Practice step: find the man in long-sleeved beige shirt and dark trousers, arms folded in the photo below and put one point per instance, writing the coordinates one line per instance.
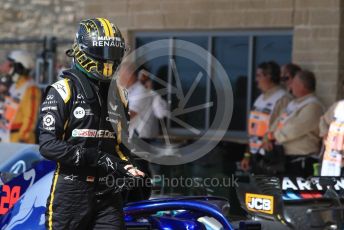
(296, 131)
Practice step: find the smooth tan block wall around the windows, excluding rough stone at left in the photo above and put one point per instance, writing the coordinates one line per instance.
(316, 25)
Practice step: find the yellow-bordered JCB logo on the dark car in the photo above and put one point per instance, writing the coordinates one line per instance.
(259, 203)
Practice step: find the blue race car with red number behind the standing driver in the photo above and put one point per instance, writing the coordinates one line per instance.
(24, 195)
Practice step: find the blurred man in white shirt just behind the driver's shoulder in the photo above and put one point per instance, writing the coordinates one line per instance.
(142, 119)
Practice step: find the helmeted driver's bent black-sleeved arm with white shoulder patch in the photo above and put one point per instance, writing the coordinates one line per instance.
(54, 115)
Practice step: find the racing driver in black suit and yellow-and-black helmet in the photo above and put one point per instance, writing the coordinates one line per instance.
(76, 132)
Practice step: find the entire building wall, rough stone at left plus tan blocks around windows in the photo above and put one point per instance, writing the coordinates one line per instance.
(317, 24)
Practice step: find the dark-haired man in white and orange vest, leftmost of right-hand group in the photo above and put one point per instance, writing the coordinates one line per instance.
(267, 107)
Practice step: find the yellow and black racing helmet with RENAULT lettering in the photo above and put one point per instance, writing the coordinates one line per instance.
(98, 48)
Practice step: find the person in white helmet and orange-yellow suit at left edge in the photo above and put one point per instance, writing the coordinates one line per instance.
(22, 104)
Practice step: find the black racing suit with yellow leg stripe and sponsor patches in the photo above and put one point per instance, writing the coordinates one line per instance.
(74, 131)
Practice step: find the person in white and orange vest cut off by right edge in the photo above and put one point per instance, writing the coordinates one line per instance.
(332, 133)
